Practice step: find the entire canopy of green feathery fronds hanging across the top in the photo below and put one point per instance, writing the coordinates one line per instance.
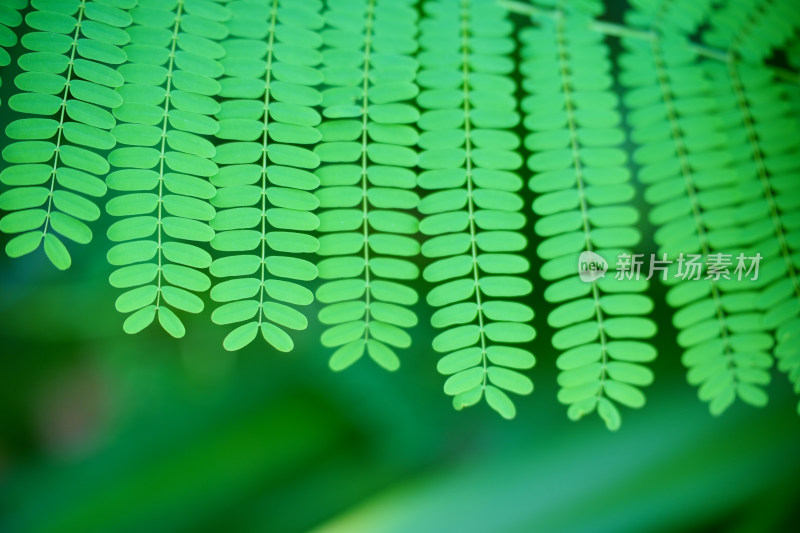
(242, 136)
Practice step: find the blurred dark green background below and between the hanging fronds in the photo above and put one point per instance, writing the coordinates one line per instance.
(104, 432)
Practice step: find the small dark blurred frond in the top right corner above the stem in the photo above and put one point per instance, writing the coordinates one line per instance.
(753, 29)
